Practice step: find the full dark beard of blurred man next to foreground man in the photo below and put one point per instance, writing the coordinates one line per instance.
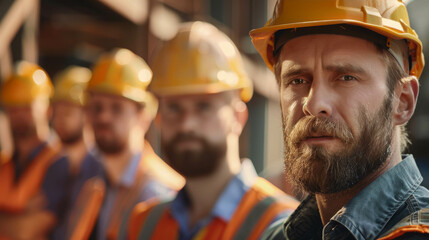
(194, 163)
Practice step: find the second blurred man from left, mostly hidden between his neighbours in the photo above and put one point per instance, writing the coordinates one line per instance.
(85, 172)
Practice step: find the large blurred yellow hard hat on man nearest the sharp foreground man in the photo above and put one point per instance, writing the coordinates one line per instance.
(199, 59)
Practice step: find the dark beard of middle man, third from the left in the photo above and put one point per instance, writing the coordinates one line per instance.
(108, 145)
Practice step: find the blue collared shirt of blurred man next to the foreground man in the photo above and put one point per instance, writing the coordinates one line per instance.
(224, 207)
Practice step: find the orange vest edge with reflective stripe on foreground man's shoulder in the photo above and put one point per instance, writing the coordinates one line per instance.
(417, 222)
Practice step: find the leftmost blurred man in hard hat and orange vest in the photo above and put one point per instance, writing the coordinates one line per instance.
(33, 179)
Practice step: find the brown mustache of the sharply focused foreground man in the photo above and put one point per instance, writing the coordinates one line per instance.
(308, 126)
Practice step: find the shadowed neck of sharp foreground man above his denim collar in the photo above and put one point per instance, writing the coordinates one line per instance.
(330, 204)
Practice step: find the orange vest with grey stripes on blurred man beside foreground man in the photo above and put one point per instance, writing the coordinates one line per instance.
(257, 209)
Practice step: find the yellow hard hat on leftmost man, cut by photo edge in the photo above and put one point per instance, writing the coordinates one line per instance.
(27, 83)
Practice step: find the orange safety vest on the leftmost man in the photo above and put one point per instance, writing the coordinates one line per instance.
(15, 196)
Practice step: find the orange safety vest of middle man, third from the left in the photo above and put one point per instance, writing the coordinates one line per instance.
(90, 198)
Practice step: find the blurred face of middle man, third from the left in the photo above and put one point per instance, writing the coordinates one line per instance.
(112, 118)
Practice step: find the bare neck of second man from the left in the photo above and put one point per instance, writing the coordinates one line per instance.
(75, 153)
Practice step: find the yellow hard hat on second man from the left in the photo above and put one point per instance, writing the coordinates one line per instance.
(70, 85)
